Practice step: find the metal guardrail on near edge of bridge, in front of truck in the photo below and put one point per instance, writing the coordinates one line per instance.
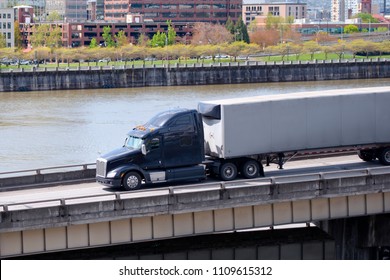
(198, 188)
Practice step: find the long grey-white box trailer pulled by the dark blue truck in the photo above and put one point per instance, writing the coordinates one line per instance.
(273, 128)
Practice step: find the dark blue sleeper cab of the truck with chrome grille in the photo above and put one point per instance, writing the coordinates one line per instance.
(167, 148)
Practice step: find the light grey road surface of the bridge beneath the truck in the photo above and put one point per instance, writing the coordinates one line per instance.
(79, 192)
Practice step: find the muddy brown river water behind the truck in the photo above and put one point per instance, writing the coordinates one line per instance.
(53, 128)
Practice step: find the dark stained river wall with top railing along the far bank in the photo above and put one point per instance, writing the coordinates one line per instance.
(190, 74)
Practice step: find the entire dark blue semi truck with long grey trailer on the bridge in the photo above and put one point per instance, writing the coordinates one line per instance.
(237, 137)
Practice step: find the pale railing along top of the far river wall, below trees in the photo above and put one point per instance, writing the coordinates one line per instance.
(42, 68)
